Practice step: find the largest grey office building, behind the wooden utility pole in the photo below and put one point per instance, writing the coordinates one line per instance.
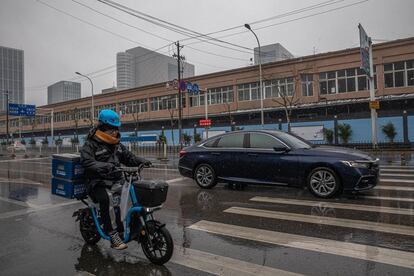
(139, 67)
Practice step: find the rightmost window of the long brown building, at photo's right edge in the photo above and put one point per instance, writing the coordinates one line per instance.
(399, 74)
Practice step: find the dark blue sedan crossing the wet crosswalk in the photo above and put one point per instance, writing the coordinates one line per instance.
(279, 158)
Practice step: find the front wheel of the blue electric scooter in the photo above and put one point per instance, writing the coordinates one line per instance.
(157, 243)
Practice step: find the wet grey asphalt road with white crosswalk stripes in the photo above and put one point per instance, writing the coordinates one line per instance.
(259, 230)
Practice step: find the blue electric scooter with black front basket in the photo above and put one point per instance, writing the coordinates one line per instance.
(145, 197)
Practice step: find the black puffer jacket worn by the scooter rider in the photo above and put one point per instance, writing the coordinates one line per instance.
(101, 160)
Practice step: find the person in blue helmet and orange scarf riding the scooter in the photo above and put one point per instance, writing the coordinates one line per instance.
(101, 156)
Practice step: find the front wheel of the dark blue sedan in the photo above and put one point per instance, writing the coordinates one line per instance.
(323, 182)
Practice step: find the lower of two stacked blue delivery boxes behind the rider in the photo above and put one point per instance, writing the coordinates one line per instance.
(68, 188)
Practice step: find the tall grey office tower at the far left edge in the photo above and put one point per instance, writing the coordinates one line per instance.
(11, 76)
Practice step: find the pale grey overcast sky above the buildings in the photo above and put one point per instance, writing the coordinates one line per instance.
(56, 45)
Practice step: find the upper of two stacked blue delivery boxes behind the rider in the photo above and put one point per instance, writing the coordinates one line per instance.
(67, 166)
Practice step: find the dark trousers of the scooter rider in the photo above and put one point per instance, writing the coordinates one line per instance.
(99, 195)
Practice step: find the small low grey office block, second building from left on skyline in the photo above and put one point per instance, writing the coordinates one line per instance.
(63, 91)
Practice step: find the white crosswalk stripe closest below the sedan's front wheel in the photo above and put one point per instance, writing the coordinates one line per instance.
(367, 208)
